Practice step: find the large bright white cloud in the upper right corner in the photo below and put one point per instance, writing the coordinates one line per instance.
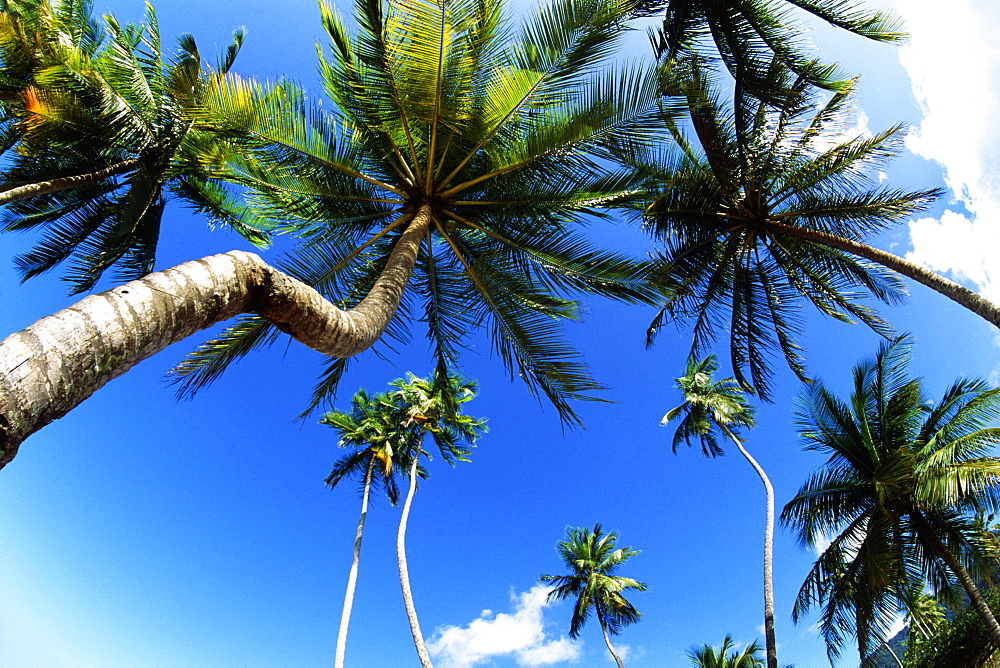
(953, 59)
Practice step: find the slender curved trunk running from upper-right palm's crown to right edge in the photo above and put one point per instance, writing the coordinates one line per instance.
(960, 295)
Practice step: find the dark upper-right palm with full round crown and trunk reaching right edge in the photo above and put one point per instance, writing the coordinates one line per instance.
(775, 209)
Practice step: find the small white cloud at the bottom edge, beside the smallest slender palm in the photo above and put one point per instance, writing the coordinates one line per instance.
(520, 634)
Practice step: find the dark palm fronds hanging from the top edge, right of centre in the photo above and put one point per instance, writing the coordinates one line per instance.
(748, 36)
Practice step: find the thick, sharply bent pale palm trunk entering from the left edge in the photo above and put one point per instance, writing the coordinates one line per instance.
(48, 368)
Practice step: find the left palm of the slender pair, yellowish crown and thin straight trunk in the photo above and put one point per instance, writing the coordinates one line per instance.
(371, 428)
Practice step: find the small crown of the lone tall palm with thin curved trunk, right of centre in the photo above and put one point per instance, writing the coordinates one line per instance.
(708, 405)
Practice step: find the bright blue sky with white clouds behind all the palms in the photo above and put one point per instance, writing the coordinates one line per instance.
(139, 531)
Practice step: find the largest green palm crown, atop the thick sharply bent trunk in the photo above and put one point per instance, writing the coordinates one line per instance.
(505, 137)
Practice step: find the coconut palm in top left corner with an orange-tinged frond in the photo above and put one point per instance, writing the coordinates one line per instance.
(106, 134)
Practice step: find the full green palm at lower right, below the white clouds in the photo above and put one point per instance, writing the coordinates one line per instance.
(897, 495)
